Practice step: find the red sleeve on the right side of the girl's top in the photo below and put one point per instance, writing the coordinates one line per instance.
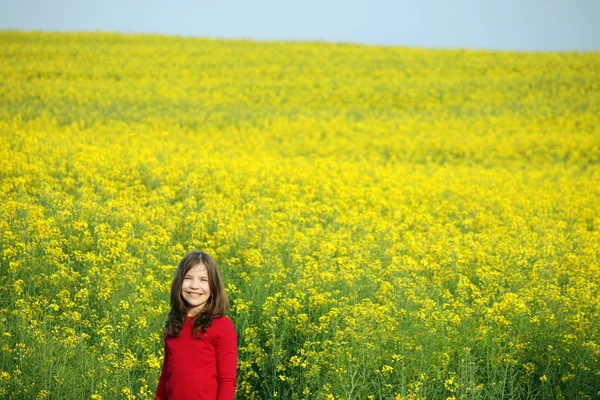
(226, 350)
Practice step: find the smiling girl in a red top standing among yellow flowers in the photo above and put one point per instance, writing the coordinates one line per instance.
(200, 359)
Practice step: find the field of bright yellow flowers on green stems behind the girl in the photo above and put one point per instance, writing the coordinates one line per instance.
(391, 223)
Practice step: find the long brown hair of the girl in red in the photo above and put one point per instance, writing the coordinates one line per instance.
(215, 306)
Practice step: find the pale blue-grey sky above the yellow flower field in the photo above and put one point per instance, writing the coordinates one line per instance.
(508, 25)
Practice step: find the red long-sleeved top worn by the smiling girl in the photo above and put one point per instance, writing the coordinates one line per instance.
(200, 368)
